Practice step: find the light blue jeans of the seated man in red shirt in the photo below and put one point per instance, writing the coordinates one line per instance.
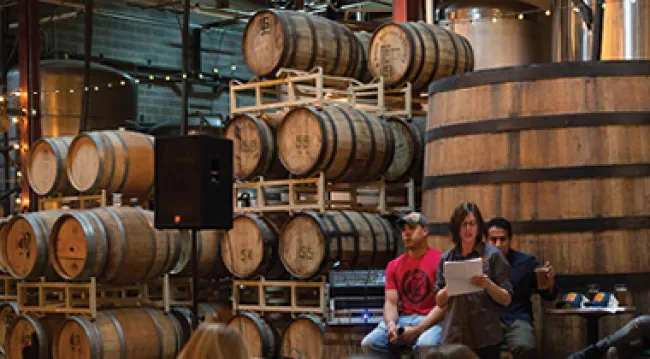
(376, 342)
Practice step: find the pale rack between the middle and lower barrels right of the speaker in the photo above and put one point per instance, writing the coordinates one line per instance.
(317, 194)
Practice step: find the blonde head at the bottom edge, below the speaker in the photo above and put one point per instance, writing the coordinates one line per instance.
(215, 341)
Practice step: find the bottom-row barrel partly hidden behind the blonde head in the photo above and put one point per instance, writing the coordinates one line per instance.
(261, 338)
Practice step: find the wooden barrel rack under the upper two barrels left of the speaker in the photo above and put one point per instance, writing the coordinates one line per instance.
(87, 201)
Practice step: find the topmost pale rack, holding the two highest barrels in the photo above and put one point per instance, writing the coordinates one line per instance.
(293, 88)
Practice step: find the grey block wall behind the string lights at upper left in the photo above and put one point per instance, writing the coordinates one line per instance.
(153, 37)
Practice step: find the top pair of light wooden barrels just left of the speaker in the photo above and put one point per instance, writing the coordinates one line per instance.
(114, 161)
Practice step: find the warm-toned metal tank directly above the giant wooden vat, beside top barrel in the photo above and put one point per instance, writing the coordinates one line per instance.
(499, 36)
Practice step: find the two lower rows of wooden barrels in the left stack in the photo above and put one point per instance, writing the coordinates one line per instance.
(116, 246)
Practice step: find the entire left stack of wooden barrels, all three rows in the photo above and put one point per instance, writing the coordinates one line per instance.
(115, 245)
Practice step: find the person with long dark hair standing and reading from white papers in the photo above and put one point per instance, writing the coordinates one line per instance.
(476, 289)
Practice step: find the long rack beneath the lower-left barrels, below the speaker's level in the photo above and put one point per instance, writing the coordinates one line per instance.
(73, 298)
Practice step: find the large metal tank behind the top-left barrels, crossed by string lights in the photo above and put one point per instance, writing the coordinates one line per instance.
(109, 108)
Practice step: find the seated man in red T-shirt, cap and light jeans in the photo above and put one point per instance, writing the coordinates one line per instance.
(410, 279)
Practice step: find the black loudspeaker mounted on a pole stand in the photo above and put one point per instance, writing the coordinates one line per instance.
(193, 182)
